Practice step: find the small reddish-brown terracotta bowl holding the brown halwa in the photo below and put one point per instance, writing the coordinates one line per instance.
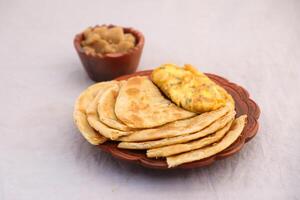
(109, 66)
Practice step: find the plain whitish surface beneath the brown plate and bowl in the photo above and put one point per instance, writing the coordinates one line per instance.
(42, 155)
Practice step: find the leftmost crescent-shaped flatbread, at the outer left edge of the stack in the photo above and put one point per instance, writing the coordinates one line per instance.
(79, 114)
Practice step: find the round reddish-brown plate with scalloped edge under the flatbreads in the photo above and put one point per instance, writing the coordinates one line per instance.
(243, 105)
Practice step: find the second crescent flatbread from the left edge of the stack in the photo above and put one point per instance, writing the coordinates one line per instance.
(94, 121)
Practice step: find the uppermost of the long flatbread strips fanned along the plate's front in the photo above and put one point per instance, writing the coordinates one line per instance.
(181, 127)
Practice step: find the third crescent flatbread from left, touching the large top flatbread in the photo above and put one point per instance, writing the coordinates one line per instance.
(106, 109)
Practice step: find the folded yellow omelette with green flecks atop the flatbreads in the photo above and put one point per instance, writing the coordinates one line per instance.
(189, 88)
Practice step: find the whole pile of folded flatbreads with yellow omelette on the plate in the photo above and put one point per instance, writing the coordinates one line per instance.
(136, 113)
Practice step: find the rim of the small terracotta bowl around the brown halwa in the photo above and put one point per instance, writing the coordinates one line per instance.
(137, 34)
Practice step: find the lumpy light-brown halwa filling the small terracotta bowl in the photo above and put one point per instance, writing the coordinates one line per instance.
(104, 40)
